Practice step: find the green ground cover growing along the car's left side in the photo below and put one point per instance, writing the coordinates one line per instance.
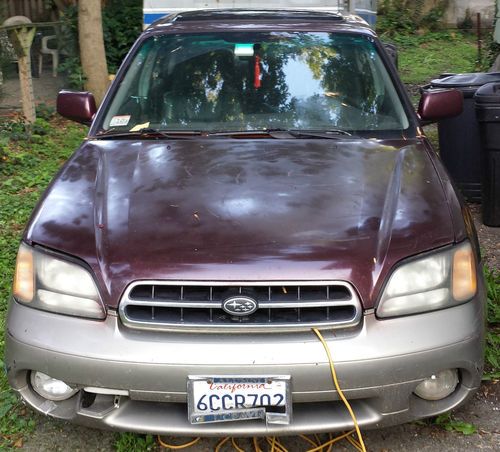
(27, 164)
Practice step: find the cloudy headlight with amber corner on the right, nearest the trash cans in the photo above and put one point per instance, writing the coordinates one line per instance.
(436, 281)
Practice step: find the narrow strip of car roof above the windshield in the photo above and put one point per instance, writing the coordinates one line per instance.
(235, 18)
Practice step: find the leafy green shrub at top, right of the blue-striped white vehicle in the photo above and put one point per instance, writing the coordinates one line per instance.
(409, 16)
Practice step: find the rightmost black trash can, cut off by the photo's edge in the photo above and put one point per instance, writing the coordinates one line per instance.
(488, 116)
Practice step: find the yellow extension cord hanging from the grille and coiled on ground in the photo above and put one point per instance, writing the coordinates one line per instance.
(275, 445)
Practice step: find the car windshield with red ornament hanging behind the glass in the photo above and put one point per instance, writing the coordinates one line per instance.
(256, 80)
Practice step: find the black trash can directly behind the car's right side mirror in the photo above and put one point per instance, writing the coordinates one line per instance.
(459, 139)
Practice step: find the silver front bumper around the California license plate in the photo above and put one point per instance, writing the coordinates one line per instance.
(378, 364)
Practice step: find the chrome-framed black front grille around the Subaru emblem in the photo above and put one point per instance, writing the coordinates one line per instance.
(282, 306)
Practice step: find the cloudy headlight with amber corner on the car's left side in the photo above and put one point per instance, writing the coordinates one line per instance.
(46, 282)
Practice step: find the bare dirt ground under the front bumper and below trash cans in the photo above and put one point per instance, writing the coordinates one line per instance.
(483, 411)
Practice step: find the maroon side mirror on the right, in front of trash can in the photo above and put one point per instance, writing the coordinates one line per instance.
(440, 104)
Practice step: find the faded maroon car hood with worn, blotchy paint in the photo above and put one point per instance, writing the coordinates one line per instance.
(228, 209)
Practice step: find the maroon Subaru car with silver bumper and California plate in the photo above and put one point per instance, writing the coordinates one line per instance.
(250, 176)
